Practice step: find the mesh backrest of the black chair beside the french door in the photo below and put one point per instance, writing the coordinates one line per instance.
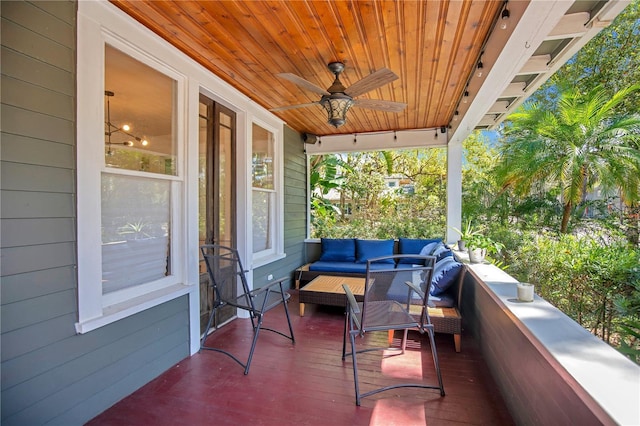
(225, 272)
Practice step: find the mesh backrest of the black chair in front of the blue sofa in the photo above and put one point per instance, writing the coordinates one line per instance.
(386, 280)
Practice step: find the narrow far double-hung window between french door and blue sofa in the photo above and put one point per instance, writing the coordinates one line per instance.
(265, 200)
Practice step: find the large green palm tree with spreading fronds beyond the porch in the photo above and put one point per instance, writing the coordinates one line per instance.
(582, 145)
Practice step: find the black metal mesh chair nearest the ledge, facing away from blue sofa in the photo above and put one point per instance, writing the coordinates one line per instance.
(380, 311)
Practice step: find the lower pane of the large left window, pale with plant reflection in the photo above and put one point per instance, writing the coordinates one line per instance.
(135, 231)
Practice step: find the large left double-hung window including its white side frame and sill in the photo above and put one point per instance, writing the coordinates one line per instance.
(130, 256)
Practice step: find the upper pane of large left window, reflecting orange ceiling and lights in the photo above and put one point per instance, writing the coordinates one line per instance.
(139, 116)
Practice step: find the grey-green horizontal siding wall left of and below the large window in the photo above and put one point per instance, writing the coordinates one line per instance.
(50, 374)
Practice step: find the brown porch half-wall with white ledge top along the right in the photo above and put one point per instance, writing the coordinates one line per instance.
(550, 369)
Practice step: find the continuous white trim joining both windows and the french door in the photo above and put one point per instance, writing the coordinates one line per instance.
(93, 16)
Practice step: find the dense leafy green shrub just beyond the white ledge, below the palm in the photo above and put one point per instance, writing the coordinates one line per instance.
(582, 275)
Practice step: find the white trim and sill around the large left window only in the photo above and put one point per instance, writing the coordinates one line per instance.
(94, 308)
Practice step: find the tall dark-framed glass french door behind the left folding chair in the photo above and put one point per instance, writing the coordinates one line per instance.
(217, 203)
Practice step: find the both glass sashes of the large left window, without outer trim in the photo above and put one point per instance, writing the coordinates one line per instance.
(136, 209)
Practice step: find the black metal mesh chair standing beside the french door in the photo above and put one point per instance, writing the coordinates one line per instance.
(226, 274)
